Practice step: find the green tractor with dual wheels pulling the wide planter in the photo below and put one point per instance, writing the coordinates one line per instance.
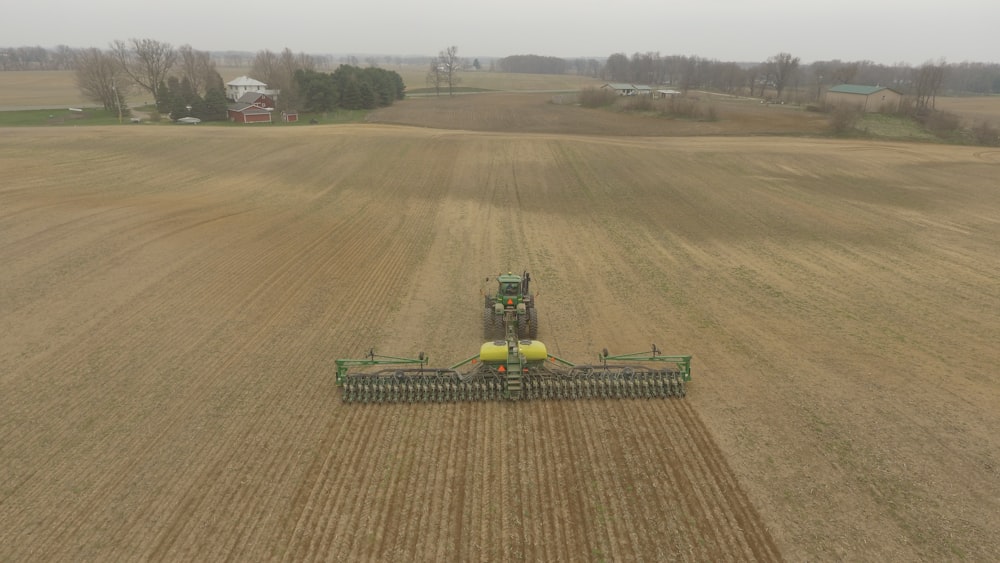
(512, 300)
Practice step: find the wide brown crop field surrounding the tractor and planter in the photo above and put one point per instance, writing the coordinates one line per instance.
(174, 298)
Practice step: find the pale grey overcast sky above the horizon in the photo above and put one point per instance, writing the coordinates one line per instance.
(887, 32)
